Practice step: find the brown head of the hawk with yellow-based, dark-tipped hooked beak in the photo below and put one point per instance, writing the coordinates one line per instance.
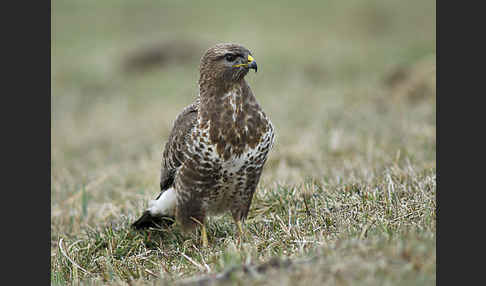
(228, 62)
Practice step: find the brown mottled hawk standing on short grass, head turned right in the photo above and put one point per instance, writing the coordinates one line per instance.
(217, 147)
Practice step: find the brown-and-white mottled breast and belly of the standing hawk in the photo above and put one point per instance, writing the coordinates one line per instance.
(232, 147)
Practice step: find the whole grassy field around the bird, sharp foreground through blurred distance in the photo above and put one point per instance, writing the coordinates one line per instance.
(348, 193)
